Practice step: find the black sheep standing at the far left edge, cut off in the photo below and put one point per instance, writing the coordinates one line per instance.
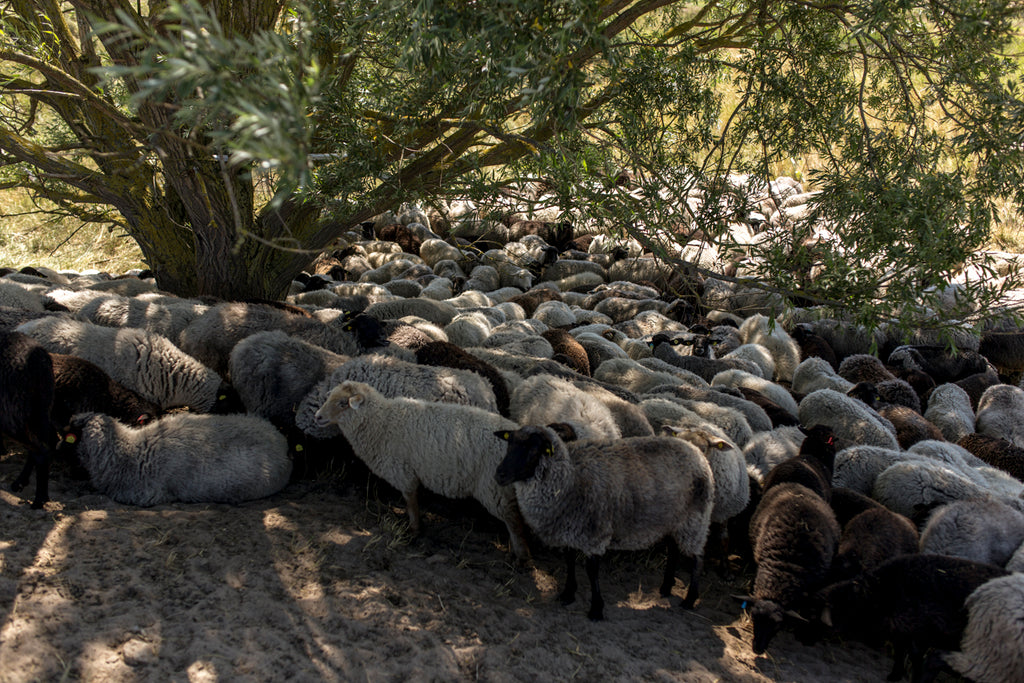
(27, 393)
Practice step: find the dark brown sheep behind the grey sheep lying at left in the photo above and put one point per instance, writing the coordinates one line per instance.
(80, 387)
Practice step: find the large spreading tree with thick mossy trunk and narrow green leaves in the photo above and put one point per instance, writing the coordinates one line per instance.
(161, 116)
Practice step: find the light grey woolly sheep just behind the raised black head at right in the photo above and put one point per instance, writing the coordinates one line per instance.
(855, 423)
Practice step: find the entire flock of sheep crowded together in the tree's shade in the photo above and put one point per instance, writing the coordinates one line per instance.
(560, 381)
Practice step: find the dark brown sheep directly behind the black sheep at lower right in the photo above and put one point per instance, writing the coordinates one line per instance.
(872, 538)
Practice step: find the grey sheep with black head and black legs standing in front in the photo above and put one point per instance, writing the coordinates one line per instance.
(593, 496)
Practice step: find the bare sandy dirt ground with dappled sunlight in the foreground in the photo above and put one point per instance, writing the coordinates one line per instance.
(323, 583)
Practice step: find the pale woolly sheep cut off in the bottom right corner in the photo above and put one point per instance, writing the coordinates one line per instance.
(993, 648)
